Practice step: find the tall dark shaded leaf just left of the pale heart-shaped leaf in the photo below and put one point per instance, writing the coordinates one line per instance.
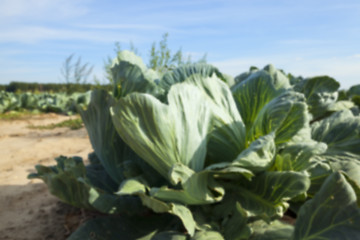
(117, 158)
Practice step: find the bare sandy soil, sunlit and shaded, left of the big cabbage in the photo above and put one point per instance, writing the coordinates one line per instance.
(27, 210)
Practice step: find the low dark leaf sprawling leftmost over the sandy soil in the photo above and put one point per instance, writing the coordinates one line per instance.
(69, 182)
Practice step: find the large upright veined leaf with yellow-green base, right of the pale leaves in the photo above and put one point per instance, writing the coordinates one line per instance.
(275, 108)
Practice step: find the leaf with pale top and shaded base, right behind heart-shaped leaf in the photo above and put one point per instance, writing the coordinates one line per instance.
(227, 136)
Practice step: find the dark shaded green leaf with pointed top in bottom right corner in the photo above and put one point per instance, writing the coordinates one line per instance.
(332, 214)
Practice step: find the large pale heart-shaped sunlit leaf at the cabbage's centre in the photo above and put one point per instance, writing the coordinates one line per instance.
(166, 134)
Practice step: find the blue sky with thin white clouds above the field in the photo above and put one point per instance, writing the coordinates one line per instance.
(307, 38)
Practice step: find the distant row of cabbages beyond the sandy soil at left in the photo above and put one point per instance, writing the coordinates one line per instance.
(43, 102)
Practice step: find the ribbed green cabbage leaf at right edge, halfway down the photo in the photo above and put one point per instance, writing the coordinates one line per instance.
(340, 131)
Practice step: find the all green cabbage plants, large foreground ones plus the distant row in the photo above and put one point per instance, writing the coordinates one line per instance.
(193, 153)
